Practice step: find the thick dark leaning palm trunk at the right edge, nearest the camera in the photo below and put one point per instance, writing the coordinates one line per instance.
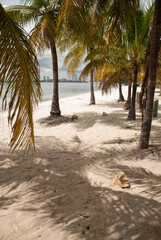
(153, 60)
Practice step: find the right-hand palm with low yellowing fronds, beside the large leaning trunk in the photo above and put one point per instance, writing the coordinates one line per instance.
(117, 63)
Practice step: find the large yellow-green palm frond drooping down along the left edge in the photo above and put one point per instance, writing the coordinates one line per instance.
(19, 74)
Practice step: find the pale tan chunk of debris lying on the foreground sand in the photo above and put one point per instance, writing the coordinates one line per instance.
(121, 180)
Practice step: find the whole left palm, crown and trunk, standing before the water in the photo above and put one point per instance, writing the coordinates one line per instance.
(43, 35)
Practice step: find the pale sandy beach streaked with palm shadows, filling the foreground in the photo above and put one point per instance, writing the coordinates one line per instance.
(65, 190)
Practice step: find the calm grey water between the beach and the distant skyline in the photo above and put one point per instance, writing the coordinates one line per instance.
(66, 89)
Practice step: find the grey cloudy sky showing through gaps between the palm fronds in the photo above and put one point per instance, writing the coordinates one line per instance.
(45, 60)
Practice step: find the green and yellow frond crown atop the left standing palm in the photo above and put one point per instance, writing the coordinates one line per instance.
(44, 14)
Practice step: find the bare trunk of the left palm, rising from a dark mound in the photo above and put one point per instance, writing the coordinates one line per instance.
(55, 110)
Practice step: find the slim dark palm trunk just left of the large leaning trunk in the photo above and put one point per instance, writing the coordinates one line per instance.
(131, 114)
